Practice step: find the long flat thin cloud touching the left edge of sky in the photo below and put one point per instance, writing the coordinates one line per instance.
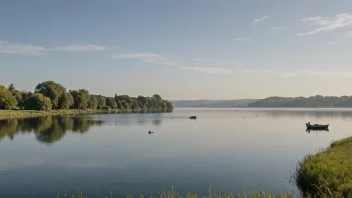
(29, 49)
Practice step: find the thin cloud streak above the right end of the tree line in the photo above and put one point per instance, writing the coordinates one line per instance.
(147, 57)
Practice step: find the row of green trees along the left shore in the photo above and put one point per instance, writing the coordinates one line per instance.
(51, 95)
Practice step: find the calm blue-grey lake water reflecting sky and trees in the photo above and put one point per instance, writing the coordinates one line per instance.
(41, 157)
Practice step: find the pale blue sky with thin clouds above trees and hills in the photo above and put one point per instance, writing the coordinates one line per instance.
(184, 49)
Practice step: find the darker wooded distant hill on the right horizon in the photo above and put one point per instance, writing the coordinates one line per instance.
(313, 101)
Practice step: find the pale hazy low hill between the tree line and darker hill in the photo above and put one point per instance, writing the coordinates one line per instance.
(212, 103)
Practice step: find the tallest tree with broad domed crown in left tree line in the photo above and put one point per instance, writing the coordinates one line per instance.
(52, 90)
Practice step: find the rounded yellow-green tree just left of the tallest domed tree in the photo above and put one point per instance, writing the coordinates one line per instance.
(38, 102)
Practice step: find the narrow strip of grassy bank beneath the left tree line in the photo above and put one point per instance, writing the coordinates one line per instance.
(4, 114)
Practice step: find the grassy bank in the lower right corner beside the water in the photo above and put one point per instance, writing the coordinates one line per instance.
(327, 173)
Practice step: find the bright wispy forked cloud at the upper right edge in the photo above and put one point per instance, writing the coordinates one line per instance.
(326, 24)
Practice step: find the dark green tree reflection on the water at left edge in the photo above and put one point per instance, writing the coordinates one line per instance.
(48, 129)
